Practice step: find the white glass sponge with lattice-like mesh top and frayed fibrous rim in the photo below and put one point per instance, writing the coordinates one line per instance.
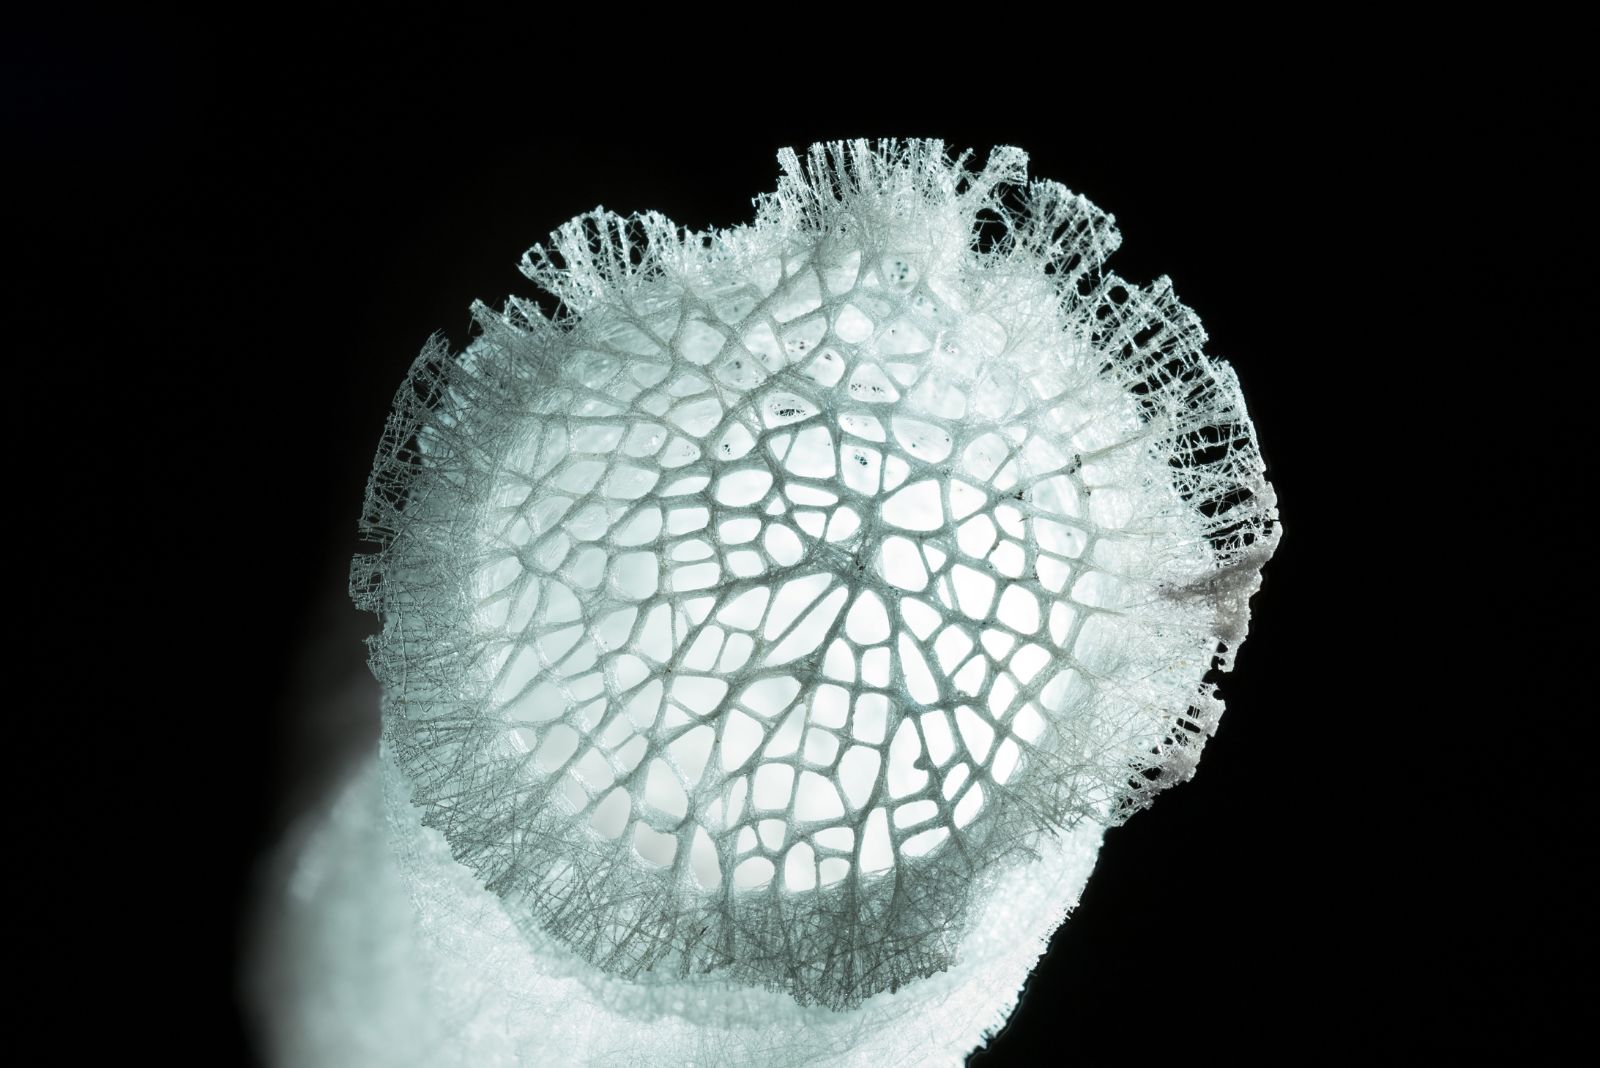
(770, 636)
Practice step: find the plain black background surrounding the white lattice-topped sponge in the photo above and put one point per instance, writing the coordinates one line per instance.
(1382, 858)
